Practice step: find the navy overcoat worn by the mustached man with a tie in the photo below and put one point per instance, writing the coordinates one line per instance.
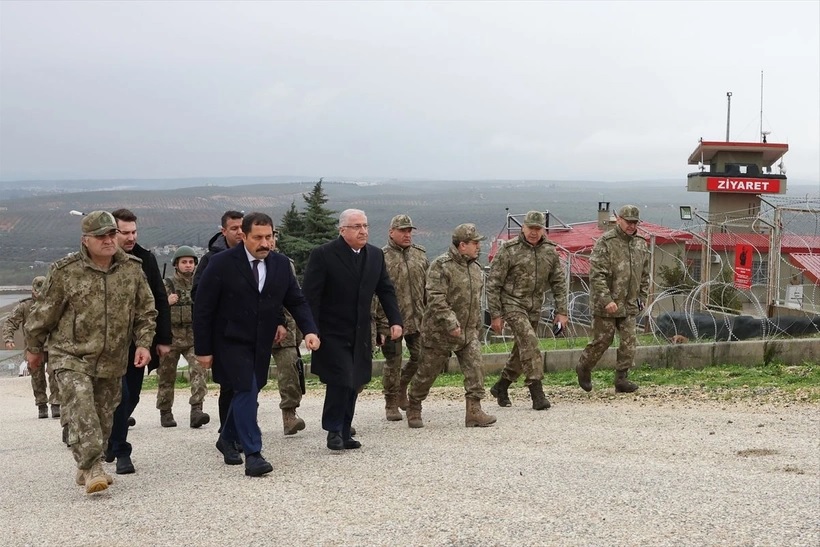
(236, 324)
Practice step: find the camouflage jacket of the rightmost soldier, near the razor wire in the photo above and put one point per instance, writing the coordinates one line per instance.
(619, 272)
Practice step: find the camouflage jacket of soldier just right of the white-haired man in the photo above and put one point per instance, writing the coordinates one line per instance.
(407, 269)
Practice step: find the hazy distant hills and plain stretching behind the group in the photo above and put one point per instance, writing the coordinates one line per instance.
(37, 229)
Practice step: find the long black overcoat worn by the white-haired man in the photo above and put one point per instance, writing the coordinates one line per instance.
(340, 294)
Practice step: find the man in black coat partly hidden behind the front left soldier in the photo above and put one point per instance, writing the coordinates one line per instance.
(118, 445)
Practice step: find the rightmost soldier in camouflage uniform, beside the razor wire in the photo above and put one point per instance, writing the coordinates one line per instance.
(619, 287)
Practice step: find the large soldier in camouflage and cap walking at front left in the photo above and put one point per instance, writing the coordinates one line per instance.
(94, 304)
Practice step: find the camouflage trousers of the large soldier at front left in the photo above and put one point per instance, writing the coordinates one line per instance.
(88, 404)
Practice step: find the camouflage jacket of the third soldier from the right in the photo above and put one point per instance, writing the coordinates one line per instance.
(454, 286)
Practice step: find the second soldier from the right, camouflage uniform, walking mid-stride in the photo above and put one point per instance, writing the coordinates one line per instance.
(521, 272)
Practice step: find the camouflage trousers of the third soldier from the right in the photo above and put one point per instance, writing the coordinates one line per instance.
(433, 363)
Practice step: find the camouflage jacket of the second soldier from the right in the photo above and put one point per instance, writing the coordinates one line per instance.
(519, 276)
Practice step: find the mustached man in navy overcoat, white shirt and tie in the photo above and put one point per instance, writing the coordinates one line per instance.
(237, 316)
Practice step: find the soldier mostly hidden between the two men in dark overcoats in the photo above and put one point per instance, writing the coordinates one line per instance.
(285, 353)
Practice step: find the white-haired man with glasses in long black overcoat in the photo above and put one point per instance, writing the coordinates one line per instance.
(341, 278)
